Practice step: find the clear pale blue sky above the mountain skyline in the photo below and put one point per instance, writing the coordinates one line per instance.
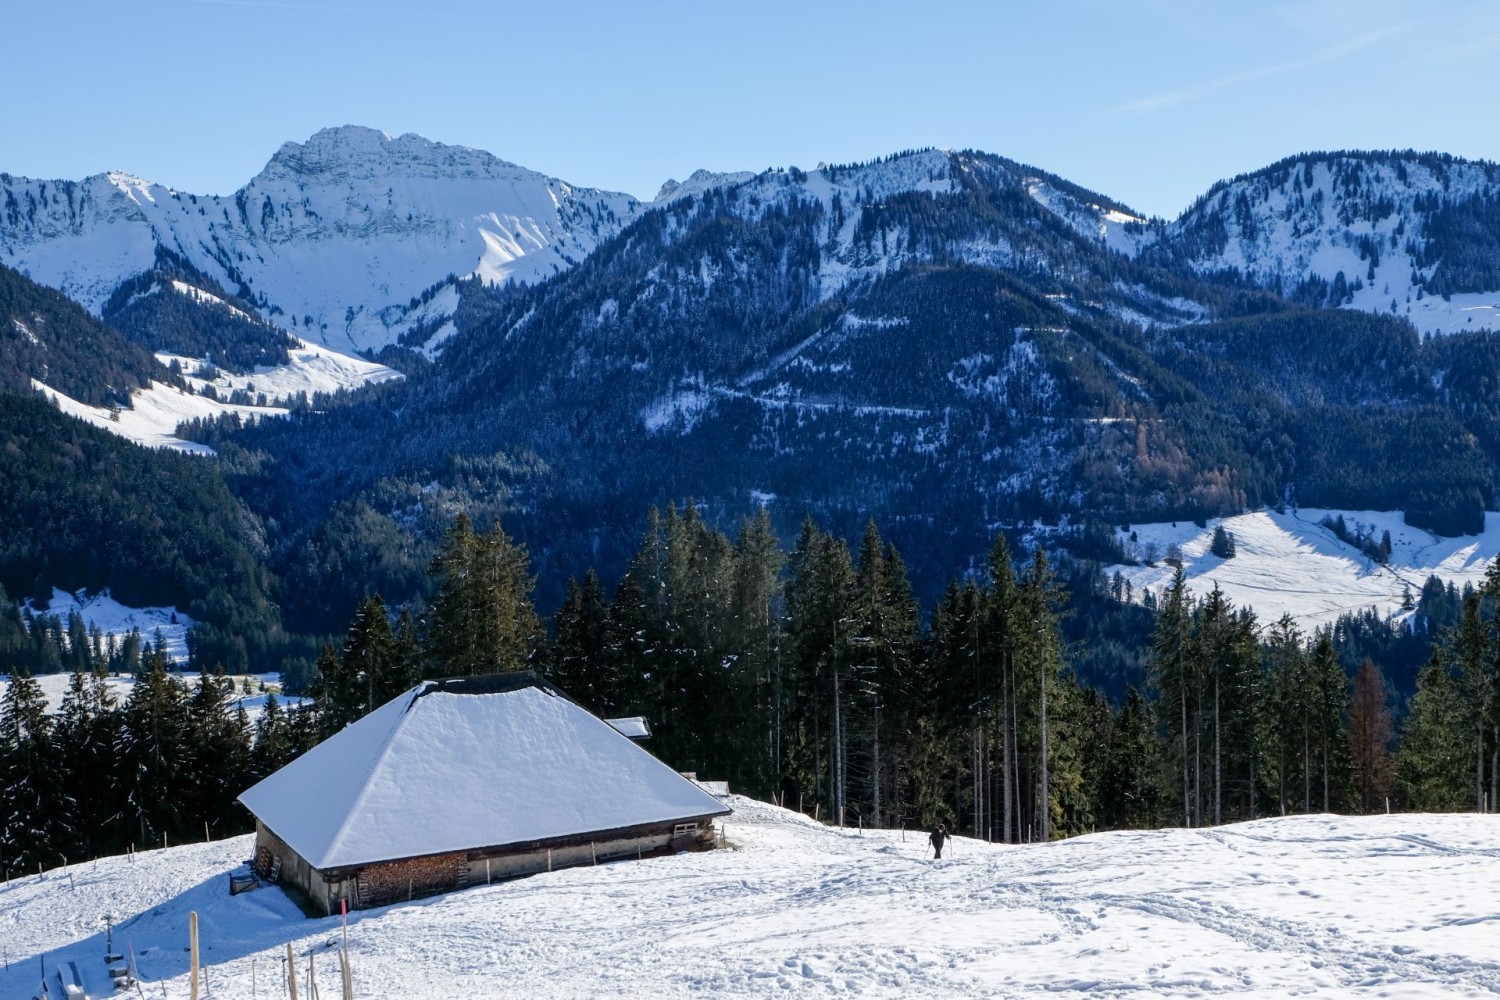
(1148, 101)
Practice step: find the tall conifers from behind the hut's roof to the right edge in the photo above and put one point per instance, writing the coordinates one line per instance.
(811, 677)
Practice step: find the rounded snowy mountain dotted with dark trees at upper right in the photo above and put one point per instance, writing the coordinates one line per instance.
(1387, 233)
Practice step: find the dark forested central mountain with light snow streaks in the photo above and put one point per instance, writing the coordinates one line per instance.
(949, 343)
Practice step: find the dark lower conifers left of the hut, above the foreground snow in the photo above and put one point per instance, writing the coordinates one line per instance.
(101, 777)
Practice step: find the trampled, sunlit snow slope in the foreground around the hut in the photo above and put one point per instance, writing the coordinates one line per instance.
(1322, 906)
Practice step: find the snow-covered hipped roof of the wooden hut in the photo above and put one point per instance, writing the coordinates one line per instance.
(469, 764)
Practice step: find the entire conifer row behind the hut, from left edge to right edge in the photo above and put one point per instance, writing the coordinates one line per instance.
(814, 677)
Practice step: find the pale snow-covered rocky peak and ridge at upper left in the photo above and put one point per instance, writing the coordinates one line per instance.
(344, 241)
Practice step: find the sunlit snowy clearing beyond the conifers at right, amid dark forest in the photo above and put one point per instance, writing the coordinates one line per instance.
(1291, 564)
